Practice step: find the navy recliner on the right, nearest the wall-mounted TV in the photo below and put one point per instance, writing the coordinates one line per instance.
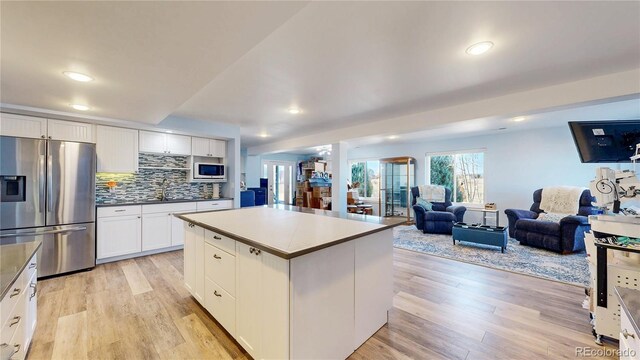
(564, 237)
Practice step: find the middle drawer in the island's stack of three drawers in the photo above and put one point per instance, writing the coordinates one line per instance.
(220, 267)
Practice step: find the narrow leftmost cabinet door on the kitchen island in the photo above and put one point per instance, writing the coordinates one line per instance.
(193, 238)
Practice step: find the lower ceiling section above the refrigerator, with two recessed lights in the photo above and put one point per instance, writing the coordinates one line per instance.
(147, 57)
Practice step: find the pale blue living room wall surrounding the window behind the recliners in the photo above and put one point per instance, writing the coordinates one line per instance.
(516, 163)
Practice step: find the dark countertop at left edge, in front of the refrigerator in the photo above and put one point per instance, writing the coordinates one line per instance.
(13, 259)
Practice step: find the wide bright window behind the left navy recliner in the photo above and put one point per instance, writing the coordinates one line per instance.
(462, 172)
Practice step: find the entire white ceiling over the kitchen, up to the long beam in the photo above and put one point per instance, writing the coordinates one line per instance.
(343, 63)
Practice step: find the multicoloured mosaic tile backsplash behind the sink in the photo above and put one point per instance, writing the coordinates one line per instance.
(146, 184)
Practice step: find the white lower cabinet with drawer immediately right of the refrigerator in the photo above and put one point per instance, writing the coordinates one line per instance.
(119, 231)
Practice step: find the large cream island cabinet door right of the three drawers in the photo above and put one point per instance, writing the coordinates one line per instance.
(262, 303)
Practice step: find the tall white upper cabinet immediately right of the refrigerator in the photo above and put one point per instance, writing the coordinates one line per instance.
(117, 149)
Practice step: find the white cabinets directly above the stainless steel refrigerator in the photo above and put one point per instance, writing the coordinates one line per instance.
(40, 128)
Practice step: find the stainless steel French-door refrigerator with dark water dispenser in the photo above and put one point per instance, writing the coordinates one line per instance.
(47, 193)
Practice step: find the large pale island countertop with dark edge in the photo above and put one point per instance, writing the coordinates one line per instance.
(289, 231)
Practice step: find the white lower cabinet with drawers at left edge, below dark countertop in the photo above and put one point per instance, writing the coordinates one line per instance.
(19, 314)
